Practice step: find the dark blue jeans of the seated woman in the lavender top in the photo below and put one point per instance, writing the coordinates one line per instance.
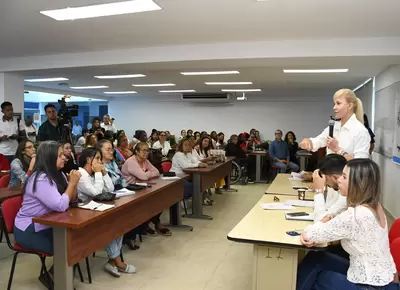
(41, 241)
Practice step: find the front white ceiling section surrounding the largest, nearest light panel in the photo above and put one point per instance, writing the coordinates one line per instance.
(25, 32)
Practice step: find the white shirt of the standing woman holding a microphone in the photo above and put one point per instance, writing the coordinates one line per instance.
(353, 138)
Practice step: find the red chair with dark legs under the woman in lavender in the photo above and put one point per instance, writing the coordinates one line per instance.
(9, 210)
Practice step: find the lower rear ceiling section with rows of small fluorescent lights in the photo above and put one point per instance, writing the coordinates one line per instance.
(265, 74)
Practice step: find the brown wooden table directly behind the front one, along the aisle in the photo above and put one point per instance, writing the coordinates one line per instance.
(203, 179)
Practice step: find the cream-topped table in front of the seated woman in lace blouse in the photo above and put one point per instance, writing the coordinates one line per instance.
(275, 253)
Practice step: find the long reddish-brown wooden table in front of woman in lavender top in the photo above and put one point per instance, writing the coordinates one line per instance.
(78, 232)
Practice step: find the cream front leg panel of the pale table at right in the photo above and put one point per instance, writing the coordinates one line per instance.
(274, 268)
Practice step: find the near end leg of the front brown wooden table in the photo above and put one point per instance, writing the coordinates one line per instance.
(63, 278)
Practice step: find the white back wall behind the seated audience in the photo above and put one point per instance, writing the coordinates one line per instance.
(306, 116)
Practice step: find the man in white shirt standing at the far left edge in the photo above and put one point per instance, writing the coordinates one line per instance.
(10, 131)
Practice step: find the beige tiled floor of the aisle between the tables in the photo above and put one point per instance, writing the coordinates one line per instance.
(200, 260)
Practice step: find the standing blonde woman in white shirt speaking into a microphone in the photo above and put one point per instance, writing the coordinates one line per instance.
(350, 138)
